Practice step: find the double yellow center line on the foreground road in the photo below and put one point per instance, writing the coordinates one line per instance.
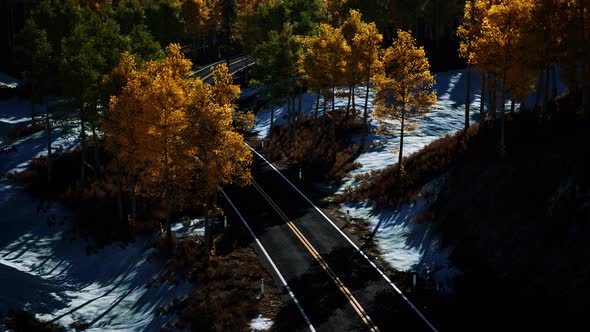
(351, 299)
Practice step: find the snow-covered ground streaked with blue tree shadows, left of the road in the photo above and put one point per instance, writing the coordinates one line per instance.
(55, 278)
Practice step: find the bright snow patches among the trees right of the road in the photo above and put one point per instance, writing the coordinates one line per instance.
(406, 245)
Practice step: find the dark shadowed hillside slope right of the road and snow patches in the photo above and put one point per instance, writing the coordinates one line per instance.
(521, 226)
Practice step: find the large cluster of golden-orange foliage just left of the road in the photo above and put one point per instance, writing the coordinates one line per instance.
(175, 134)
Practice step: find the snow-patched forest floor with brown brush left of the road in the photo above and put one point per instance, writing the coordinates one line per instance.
(76, 274)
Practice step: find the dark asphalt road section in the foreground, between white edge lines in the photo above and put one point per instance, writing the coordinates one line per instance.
(322, 297)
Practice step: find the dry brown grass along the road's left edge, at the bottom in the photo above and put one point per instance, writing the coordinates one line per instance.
(225, 297)
